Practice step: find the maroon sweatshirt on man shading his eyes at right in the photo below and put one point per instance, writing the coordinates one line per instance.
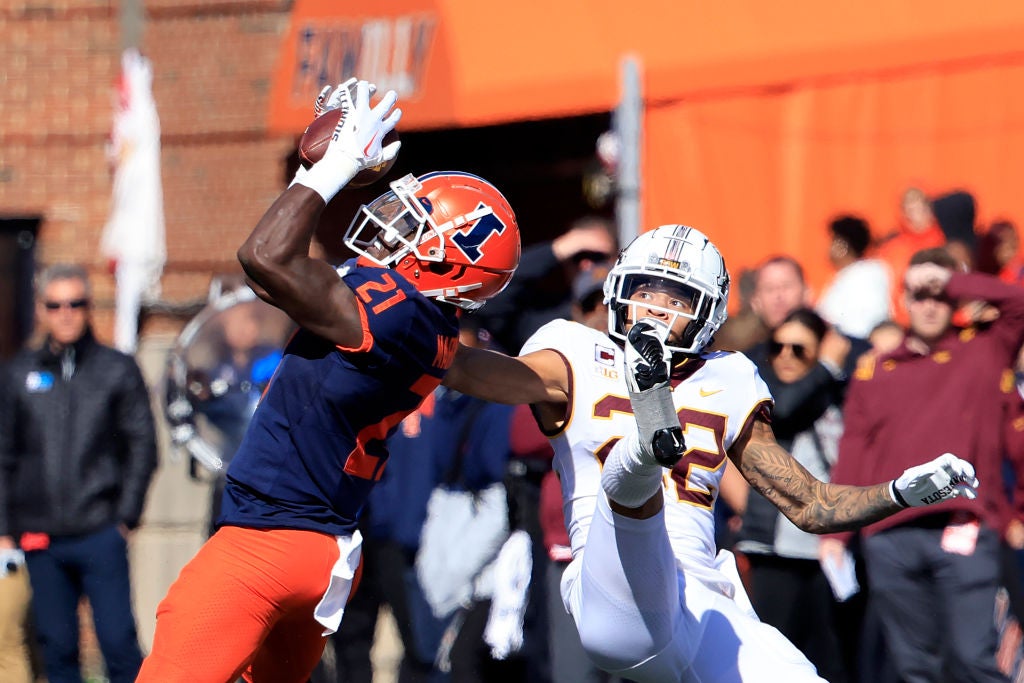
(905, 409)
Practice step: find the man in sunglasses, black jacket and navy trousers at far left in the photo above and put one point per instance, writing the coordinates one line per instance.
(77, 452)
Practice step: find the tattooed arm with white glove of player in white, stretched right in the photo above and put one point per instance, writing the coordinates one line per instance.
(823, 508)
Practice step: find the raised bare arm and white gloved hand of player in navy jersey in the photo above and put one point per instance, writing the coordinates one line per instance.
(276, 257)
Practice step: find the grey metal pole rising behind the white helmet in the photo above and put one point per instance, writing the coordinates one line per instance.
(628, 124)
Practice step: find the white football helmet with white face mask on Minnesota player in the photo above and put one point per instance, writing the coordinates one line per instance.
(685, 258)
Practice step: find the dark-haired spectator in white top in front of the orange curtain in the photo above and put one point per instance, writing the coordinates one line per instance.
(859, 296)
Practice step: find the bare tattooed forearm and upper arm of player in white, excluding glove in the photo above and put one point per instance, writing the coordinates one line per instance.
(807, 502)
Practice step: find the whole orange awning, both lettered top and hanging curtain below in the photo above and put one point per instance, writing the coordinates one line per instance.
(763, 119)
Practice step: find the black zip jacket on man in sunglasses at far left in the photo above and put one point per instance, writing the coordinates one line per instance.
(77, 441)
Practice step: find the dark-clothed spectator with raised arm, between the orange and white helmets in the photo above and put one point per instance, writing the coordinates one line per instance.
(541, 289)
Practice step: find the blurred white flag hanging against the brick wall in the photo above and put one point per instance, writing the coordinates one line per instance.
(134, 237)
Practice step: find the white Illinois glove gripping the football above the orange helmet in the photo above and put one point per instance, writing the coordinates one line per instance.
(357, 141)
